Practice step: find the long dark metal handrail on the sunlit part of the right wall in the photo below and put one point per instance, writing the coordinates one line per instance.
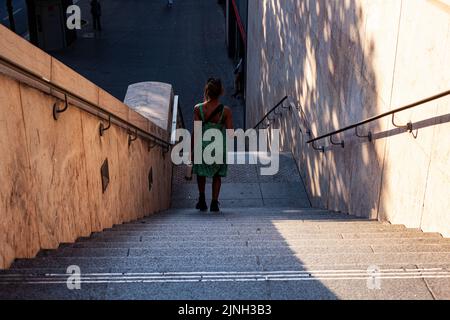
(355, 126)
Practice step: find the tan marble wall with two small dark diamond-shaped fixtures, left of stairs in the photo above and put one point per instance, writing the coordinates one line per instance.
(51, 188)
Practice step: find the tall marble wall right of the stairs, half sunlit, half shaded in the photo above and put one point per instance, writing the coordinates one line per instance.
(345, 61)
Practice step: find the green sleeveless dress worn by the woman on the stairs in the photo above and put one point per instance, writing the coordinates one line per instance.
(206, 170)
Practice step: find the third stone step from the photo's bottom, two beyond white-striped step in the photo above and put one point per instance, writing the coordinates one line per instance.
(244, 251)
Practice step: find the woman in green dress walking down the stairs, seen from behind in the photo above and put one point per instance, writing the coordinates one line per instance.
(213, 115)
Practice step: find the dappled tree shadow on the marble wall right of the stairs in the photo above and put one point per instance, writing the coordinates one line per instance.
(316, 51)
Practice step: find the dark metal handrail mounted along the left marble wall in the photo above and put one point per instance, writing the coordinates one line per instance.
(85, 105)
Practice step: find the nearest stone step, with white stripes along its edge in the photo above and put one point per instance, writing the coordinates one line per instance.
(315, 287)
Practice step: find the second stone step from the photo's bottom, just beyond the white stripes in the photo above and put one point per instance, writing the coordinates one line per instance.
(231, 263)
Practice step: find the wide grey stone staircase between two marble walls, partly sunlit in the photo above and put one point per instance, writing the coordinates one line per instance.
(250, 251)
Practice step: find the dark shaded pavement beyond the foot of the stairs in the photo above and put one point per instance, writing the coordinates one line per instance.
(146, 41)
